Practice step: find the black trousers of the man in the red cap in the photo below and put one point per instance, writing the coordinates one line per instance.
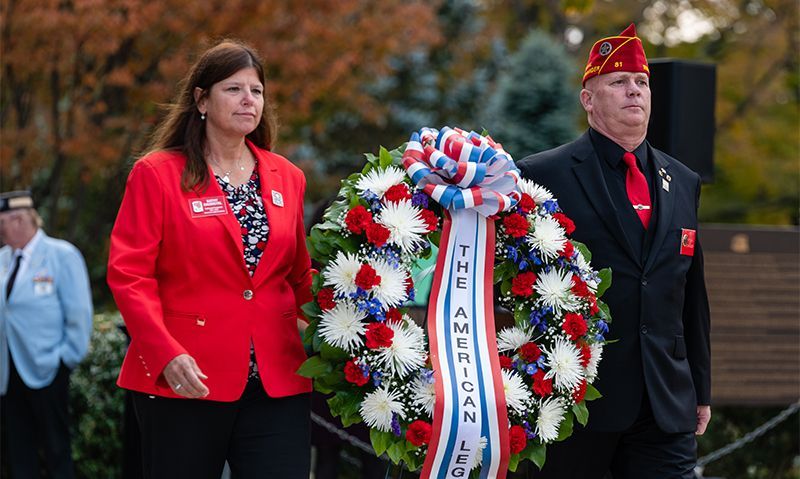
(643, 451)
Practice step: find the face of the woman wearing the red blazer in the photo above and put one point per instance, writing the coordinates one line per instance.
(234, 105)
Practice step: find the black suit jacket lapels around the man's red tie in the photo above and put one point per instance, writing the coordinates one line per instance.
(590, 176)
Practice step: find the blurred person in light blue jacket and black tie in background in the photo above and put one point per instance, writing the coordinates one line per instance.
(45, 325)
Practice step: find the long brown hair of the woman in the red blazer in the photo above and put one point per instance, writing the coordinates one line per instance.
(183, 130)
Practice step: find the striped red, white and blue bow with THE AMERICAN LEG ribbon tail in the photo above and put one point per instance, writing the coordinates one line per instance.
(472, 178)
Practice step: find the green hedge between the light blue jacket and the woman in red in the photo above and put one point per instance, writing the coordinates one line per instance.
(98, 404)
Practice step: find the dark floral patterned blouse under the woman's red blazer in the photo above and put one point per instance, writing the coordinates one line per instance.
(248, 207)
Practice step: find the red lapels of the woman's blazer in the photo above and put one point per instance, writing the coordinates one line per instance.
(271, 179)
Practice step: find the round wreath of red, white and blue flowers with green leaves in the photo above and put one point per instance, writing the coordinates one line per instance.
(374, 358)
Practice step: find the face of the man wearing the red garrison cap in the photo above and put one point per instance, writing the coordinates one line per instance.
(618, 102)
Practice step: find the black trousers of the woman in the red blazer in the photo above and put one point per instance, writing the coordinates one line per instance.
(257, 435)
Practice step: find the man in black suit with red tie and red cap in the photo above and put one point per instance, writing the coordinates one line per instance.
(641, 222)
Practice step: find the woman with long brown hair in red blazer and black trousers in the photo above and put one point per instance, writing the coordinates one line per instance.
(208, 266)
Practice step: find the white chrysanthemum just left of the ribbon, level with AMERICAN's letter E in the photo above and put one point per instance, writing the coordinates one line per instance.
(407, 352)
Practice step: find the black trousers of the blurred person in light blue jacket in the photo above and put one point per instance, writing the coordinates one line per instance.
(37, 420)
